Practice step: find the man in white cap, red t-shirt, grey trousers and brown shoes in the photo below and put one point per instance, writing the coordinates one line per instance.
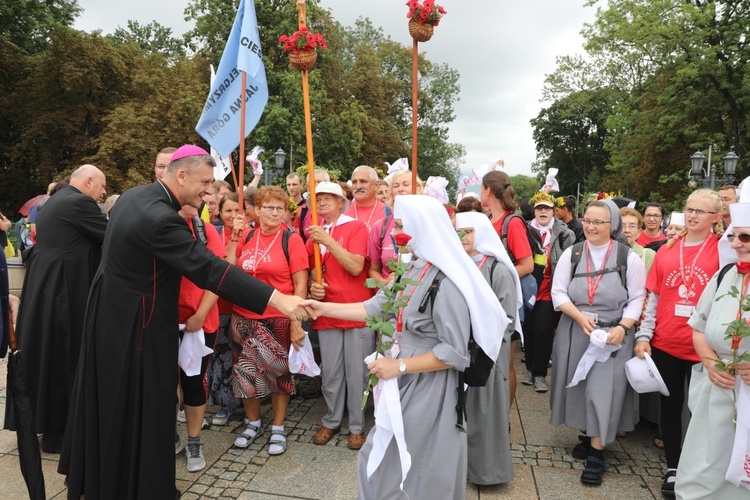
(343, 344)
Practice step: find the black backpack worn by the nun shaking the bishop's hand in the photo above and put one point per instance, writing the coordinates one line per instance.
(480, 365)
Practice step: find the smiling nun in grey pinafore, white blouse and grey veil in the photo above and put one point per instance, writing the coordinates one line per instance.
(595, 298)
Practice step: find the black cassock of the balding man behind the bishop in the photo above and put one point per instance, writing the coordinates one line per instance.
(70, 232)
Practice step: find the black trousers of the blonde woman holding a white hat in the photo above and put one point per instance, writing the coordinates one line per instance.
(675, 372)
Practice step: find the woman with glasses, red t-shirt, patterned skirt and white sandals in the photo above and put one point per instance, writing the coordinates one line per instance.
(262, 341)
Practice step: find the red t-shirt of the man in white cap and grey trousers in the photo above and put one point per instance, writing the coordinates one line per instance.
(342, 286)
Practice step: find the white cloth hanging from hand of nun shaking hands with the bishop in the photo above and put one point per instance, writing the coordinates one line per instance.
(389, 423)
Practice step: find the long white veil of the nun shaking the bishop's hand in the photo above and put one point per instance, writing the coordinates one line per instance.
(435, 240)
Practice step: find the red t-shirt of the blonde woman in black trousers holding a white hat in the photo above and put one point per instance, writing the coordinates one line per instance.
(672, 333)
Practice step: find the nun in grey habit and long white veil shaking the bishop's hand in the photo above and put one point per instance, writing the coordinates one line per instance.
(433, 350)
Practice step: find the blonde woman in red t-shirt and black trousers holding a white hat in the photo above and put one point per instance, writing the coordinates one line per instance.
(681, 270)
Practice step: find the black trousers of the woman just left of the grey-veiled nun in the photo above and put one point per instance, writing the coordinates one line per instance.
(538, 336)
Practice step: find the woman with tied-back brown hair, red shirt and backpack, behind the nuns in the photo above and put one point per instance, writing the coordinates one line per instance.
(500, 197)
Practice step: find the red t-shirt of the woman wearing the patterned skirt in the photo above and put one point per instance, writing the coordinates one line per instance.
(263, 257)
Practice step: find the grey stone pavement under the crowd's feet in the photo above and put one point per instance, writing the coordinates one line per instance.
(544, 468)
